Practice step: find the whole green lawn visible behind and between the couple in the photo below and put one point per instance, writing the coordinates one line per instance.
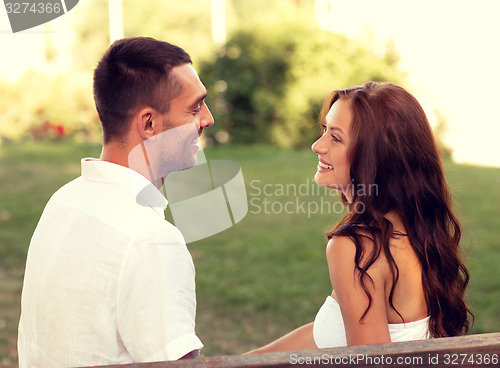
(264, 276)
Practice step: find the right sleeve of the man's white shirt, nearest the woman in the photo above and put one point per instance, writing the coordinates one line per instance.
(156, 304)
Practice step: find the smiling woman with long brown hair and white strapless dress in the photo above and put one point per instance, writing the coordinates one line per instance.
(394, 259)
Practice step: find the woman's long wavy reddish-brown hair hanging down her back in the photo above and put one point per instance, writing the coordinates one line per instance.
(394, 151)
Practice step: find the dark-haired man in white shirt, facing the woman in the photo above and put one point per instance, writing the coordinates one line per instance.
(108, 280)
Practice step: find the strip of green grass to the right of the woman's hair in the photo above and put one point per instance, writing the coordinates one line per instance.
(478, 205)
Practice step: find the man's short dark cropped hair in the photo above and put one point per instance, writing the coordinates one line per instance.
(132, 74)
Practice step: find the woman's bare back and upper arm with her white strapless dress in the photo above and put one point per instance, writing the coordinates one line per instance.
(392, 302)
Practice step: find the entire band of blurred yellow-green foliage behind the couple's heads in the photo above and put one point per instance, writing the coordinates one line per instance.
(265, 85)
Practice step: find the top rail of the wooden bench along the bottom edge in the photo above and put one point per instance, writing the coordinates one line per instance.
(465, 351)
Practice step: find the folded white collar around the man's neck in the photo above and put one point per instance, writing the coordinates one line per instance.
(145, 193)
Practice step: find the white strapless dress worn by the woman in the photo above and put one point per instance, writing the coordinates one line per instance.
(329, 331)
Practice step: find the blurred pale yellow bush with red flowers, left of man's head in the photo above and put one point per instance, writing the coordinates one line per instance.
(49, 107)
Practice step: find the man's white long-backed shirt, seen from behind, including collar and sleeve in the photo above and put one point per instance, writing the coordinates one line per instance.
(108, 280)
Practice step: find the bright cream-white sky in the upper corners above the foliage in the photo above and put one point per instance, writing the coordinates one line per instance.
(450, 49)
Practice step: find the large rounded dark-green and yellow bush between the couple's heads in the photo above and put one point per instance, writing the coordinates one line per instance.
(268, 85)
